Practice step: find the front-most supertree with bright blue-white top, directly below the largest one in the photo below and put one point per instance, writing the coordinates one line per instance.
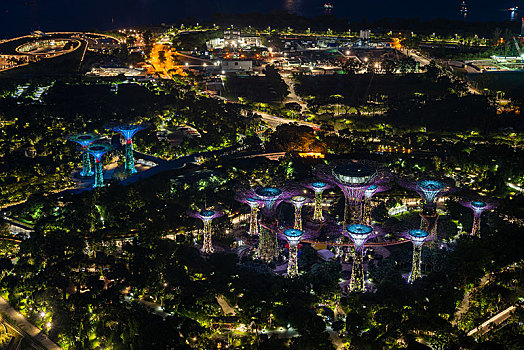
(359, 234)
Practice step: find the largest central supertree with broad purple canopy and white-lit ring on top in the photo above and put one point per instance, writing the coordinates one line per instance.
(353, 178)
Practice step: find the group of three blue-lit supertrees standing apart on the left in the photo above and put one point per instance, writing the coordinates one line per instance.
(90, 146)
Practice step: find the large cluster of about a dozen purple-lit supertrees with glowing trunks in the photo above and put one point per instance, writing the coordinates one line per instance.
(359, 182)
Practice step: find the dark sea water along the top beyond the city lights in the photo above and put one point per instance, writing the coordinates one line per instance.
(22, 16)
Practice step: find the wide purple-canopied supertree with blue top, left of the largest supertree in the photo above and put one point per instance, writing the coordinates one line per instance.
(268, 199)
